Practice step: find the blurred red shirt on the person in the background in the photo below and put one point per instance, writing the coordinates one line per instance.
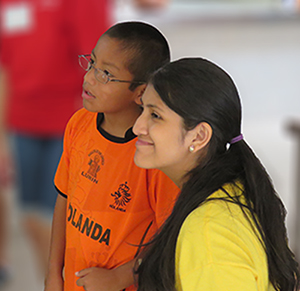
(40, 42)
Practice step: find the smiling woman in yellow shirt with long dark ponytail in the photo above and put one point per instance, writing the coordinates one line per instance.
(227, 229)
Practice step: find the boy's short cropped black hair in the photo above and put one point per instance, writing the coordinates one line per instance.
(147, 48)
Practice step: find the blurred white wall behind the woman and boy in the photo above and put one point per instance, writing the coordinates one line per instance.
(261, 51)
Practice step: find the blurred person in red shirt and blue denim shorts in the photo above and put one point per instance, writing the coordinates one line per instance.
(40, 41)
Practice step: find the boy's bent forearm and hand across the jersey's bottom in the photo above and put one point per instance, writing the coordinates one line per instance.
(100, 279)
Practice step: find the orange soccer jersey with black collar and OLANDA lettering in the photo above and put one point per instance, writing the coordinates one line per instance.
(112, 205)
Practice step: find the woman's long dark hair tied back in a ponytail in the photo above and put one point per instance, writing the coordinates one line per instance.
(198, 91)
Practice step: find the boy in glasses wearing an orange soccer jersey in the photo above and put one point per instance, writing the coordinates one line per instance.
(108, 206)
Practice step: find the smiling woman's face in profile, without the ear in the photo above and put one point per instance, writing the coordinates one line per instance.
(162, 143)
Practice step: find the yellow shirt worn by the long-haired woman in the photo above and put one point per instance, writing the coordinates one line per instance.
(217, 249)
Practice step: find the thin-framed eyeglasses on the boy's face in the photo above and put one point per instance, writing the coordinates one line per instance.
(86, 63)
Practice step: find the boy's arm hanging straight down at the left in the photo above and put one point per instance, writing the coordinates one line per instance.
(54, 278)
